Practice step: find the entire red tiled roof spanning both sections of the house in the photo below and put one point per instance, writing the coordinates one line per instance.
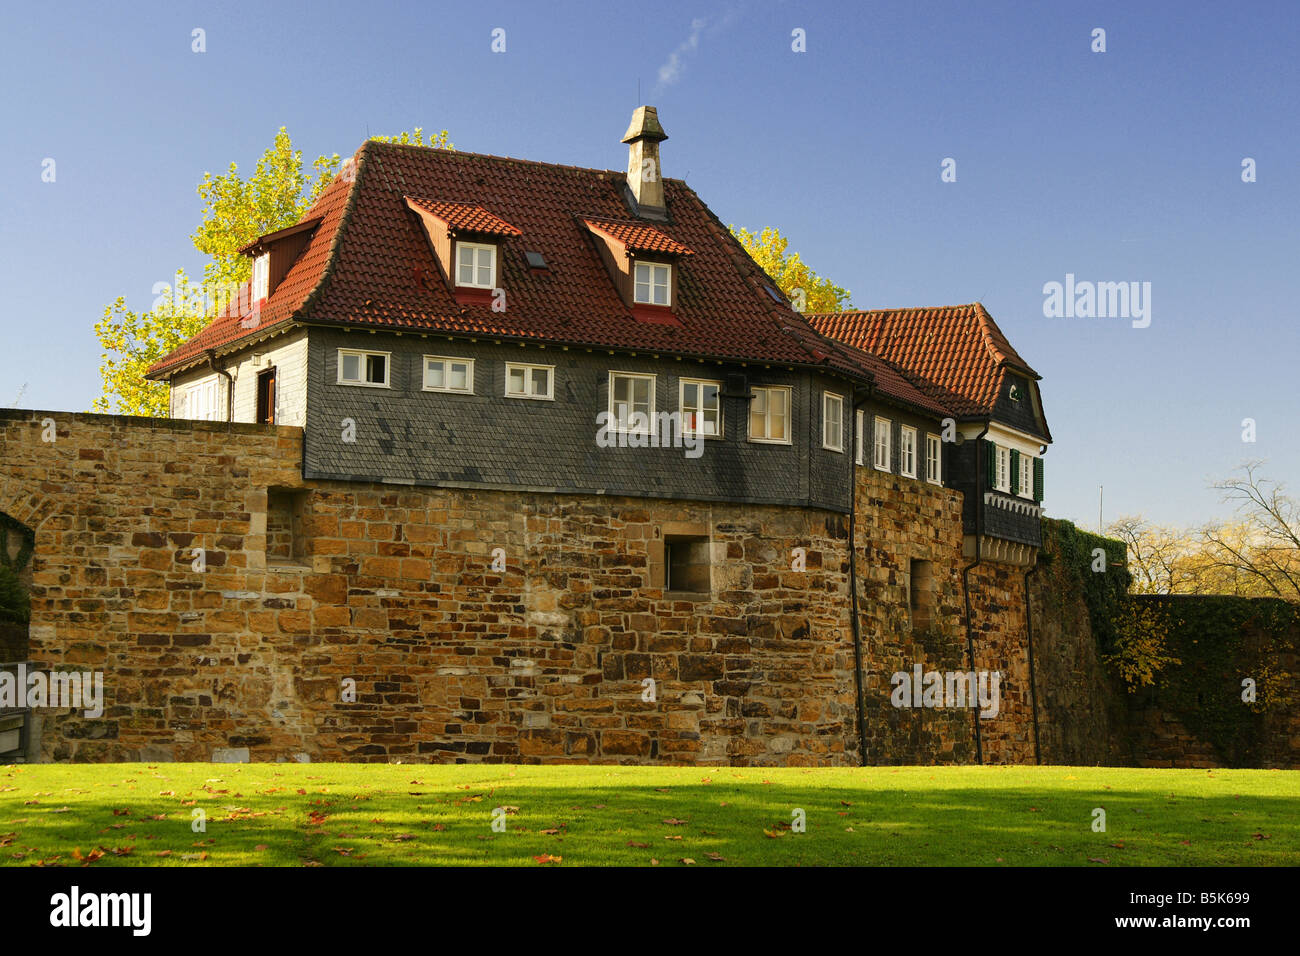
(370, 265)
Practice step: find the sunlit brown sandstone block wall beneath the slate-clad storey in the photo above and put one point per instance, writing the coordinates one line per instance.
(454, 661)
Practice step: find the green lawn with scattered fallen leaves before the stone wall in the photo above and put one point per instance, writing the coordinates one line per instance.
(350, 815)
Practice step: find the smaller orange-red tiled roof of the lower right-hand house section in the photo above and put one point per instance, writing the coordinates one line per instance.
(957, 349)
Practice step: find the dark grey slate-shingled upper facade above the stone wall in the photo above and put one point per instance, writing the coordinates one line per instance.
(406, 435)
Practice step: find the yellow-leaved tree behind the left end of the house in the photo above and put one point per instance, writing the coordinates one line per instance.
(236, 211)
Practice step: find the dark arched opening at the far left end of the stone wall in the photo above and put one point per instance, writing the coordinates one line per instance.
(16, 547)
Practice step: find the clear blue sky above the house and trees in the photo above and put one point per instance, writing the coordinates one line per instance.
(1124, 166)
